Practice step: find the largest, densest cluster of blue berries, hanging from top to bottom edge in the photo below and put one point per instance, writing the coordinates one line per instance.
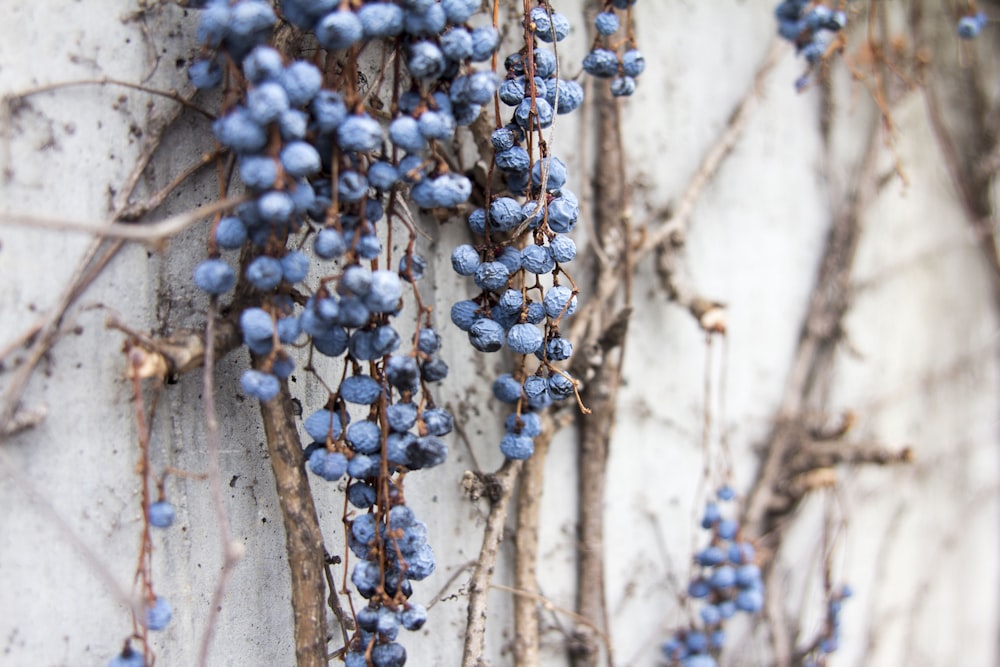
(313, 158)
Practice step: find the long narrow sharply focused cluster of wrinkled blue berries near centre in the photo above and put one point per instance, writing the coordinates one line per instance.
(514, 308)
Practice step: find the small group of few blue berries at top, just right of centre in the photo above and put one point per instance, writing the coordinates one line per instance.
(604, 60)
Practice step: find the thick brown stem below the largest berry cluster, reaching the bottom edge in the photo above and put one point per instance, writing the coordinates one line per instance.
(303, 537)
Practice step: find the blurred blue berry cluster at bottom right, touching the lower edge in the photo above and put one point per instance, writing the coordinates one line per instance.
(728, 581)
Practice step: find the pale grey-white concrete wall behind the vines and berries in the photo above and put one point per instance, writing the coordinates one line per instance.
(918, 367)
